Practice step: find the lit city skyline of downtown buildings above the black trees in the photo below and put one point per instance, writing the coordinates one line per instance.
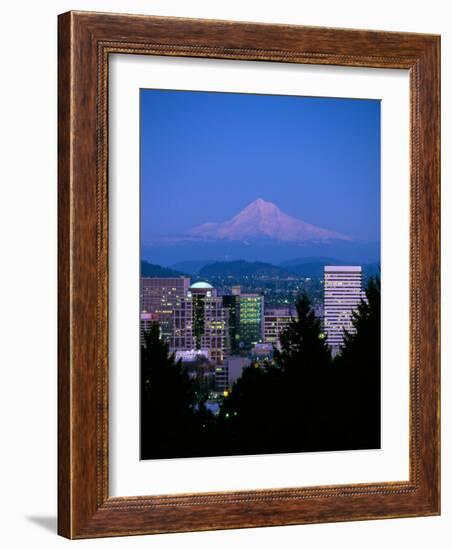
(207, 328)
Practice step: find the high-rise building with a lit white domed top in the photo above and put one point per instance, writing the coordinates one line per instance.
(201, 322)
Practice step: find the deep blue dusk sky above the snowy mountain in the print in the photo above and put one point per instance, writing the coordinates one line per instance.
(205, 156)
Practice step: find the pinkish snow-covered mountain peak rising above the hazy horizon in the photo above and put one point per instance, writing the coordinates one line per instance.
(262, 219)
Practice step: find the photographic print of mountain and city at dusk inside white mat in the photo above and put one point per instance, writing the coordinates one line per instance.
(260, 274)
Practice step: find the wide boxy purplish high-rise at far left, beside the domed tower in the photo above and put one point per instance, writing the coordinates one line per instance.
(160, 296)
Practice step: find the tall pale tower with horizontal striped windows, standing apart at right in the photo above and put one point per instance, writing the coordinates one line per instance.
(342, 294)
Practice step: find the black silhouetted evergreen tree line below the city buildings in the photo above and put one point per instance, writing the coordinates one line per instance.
(302, 401)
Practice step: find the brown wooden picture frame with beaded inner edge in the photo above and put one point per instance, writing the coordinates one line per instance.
(85, 42)
